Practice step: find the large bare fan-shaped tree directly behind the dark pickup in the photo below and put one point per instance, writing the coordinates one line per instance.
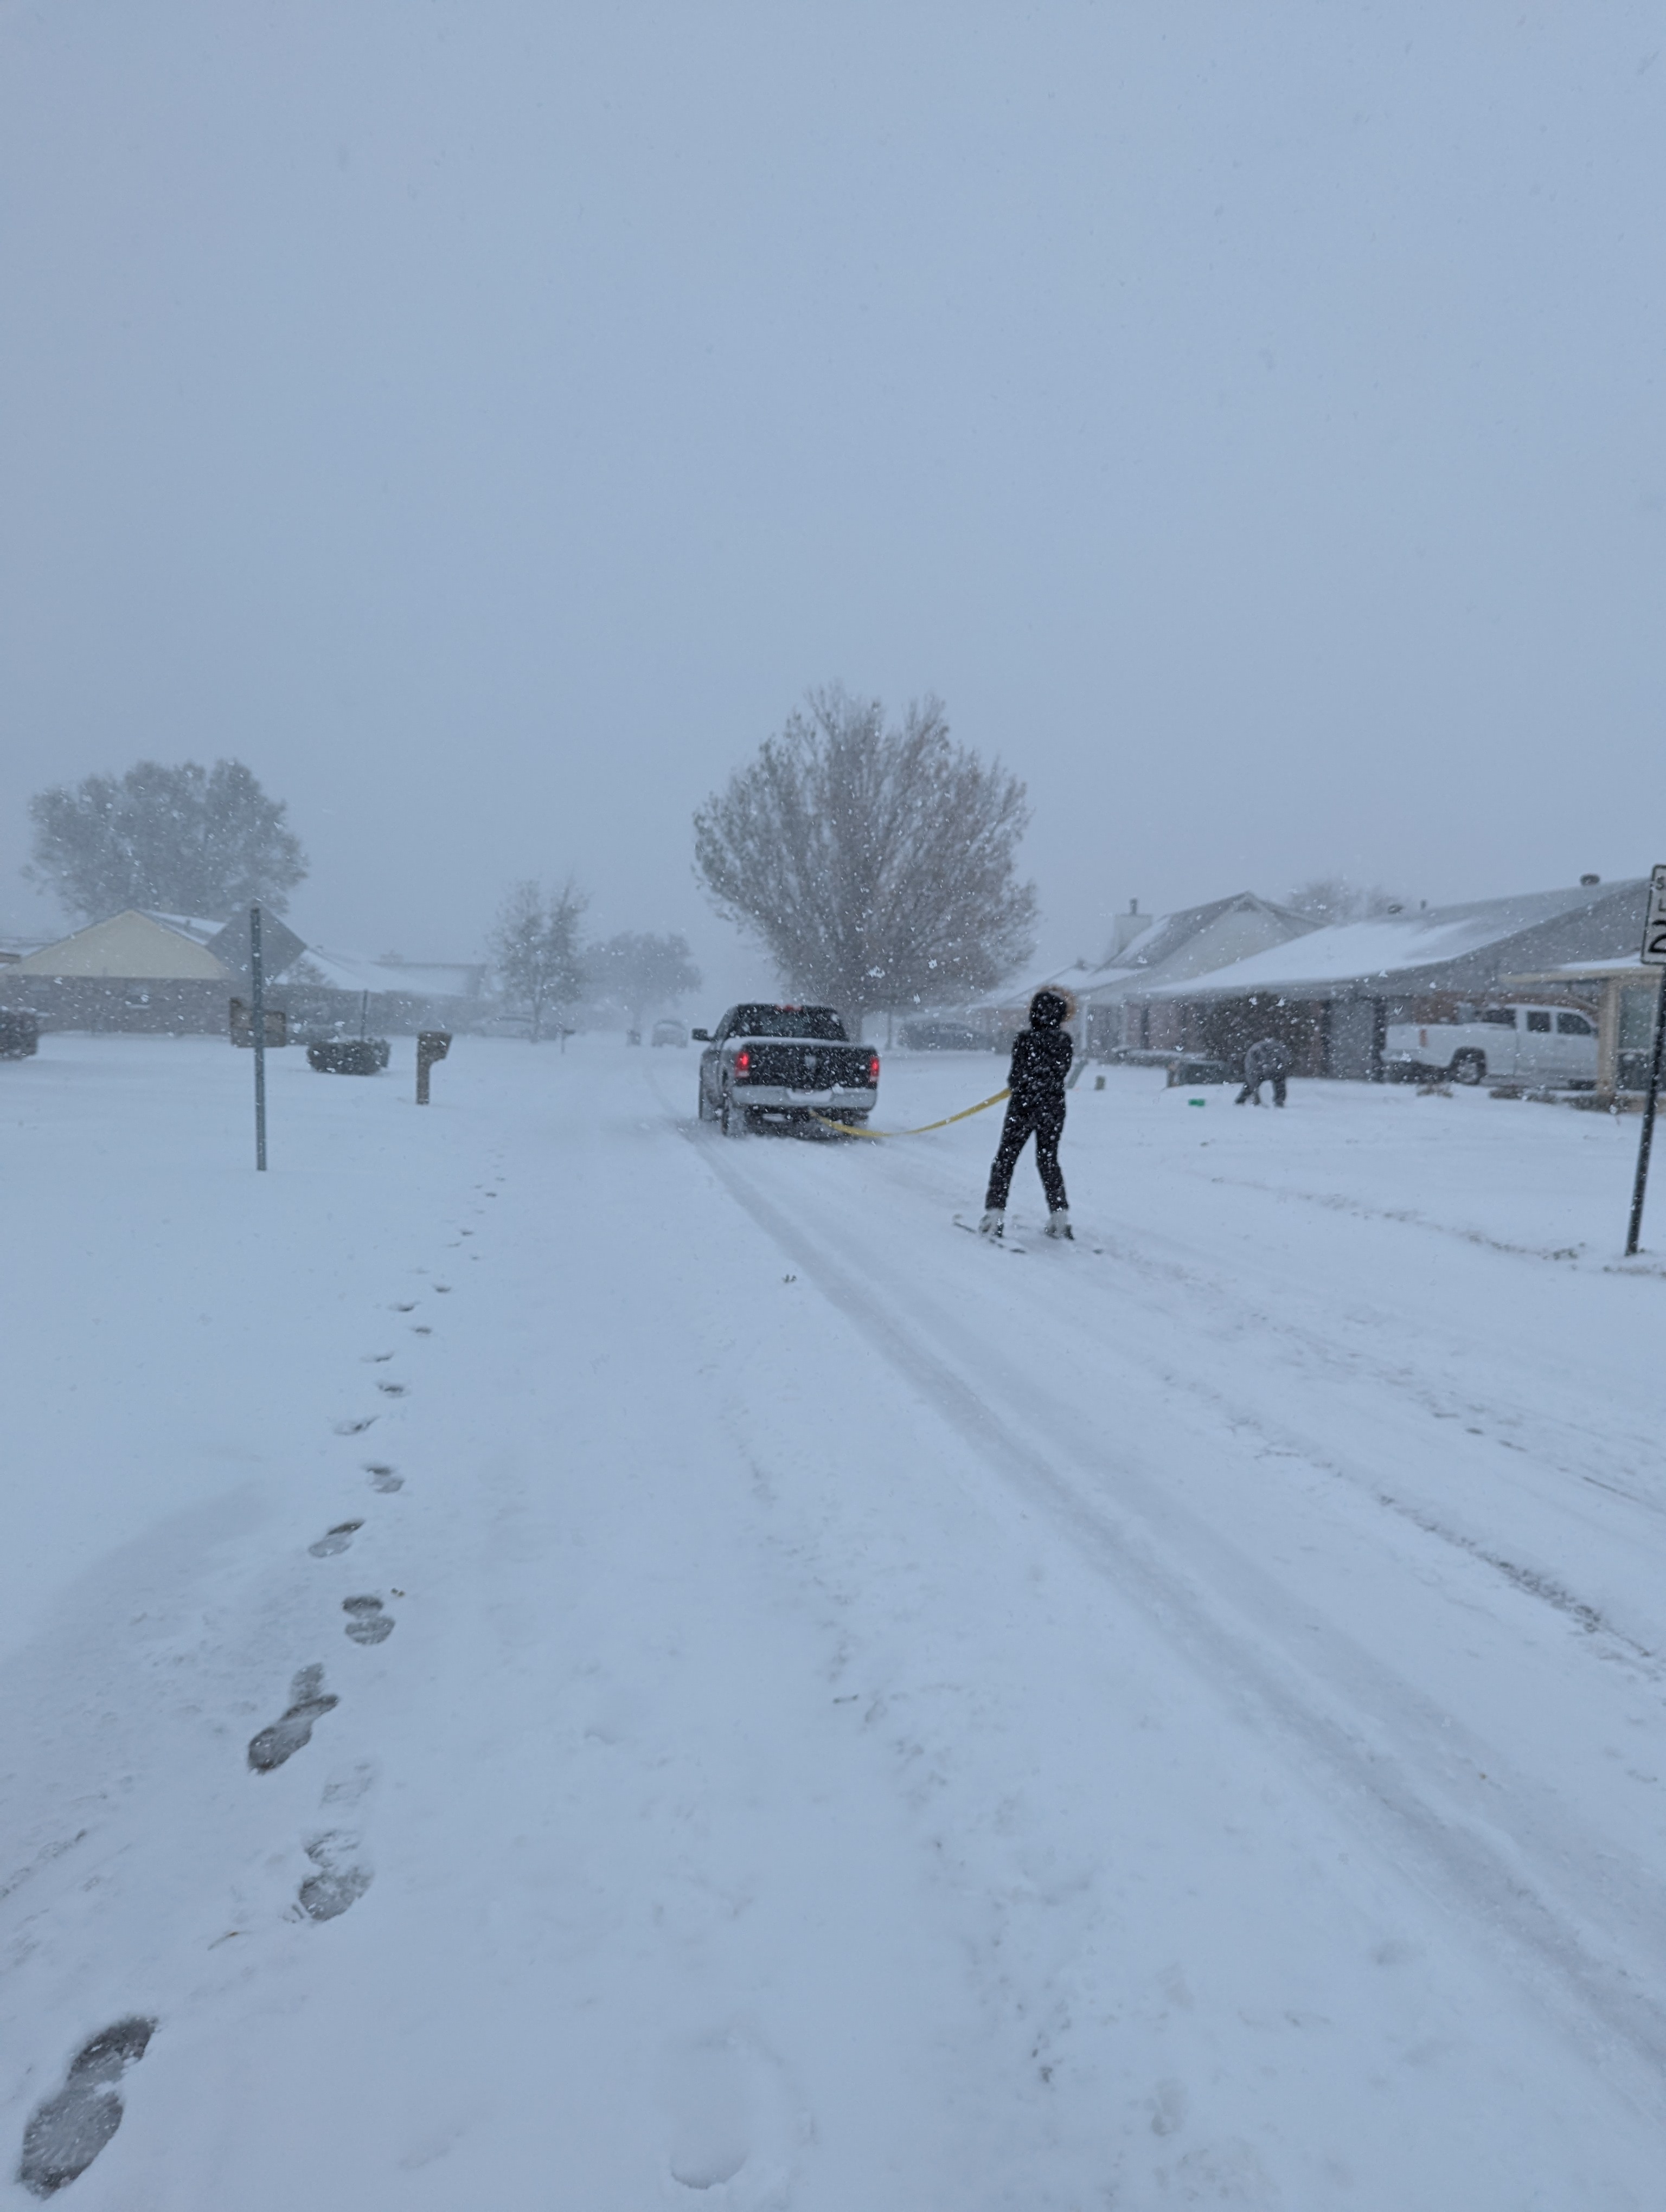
(877, 866)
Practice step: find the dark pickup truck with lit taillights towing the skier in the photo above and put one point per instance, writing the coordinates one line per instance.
(784, 1065)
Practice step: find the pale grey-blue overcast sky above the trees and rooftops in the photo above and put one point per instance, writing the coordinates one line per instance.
(488, 417)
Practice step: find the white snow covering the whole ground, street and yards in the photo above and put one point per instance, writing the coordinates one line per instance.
(873, 1724)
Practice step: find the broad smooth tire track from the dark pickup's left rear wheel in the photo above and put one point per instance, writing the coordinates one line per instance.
(1574, 1919)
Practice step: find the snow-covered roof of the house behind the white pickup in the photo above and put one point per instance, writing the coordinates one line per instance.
(1404, 946)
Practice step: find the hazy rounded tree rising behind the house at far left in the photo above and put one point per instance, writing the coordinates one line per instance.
(176, 839)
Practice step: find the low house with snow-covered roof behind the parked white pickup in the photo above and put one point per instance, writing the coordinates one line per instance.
(1333, 992)
